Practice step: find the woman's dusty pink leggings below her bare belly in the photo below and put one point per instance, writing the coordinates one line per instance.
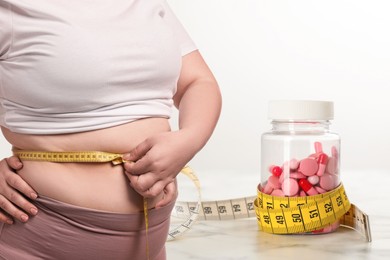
(64, 231)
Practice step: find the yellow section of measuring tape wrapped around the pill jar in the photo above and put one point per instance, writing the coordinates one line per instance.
(289, 215)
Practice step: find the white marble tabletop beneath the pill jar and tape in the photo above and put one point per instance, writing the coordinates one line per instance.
(241, 239)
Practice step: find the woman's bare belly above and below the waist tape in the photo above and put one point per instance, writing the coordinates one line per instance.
(101, 186)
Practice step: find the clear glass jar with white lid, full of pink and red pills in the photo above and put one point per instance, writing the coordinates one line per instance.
(300, 156)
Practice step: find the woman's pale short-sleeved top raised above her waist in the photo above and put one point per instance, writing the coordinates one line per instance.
(72, 66)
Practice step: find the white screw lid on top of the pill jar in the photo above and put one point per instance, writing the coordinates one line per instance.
(300, 110)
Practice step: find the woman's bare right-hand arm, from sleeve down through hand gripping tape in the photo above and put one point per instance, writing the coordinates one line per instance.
(156, 161)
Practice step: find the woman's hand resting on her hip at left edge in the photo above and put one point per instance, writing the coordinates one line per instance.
(12, 188)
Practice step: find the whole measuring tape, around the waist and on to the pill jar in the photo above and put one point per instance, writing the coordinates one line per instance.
(279, 215)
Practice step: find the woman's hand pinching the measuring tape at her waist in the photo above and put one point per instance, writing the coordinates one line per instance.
(154, 164)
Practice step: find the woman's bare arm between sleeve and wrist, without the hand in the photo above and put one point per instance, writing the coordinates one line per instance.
(198, 99)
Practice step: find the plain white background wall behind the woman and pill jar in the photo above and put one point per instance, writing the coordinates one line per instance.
(263, 50)
